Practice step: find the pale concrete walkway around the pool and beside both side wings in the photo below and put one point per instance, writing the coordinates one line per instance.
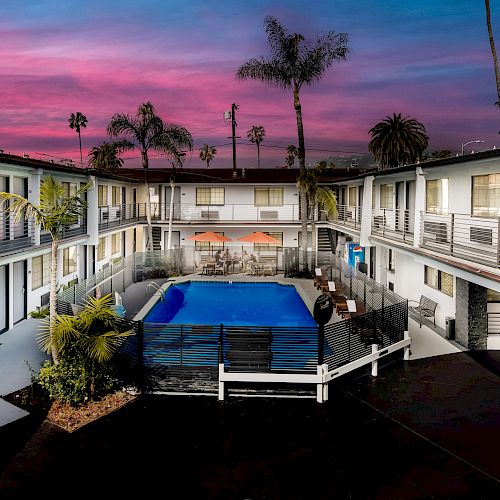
(19, 347)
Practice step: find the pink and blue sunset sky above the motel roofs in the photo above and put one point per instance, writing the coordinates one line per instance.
(427, 59)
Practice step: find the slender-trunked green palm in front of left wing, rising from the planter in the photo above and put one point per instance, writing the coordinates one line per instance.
(54, 213)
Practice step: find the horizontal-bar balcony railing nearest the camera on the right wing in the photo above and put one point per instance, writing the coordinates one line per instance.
(465, 236)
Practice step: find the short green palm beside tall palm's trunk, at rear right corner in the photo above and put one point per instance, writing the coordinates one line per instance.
(315, 195)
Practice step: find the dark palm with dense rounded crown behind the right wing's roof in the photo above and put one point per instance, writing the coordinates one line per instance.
(398, 140)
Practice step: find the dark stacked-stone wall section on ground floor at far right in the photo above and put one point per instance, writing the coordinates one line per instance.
(471, 320)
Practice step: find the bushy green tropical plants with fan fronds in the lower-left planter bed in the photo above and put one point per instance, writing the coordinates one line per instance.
(87, 344)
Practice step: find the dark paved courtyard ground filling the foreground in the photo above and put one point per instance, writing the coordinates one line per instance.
(425, 429)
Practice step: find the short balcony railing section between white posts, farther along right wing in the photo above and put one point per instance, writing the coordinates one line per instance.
(393, 224)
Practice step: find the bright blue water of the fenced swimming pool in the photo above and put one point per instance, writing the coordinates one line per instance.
(250, 304)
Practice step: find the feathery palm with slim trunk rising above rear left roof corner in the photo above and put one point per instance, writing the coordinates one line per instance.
(147, 131)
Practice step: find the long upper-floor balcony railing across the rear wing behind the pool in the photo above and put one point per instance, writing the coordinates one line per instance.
(226, 213)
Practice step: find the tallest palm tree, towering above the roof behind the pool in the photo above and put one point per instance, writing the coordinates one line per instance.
(293, 63)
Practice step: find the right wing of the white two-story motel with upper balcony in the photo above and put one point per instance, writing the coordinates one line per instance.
(432, 229)
